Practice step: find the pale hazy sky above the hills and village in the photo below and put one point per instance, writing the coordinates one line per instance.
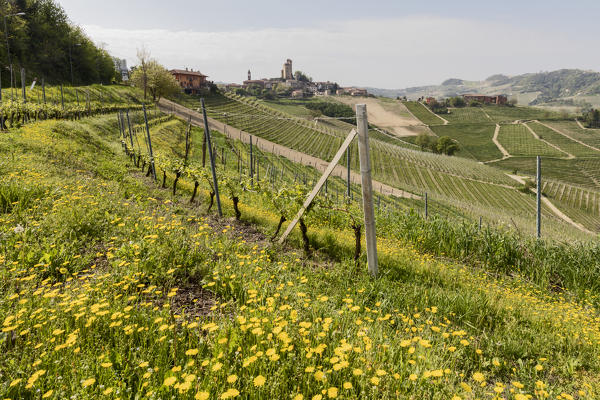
(380, 43)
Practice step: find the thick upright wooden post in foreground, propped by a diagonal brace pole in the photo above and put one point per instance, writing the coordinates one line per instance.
(367, 187)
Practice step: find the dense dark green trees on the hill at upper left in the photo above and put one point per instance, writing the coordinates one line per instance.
(42, 40)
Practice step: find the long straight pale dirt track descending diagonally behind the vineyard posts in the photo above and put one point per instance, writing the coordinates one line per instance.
(170, 107)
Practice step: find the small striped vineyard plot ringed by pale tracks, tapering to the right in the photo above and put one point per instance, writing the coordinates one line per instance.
(518, 141)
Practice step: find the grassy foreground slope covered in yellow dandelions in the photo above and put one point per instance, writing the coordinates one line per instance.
(113, 321)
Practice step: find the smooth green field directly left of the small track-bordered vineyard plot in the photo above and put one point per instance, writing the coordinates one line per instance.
(475, 140)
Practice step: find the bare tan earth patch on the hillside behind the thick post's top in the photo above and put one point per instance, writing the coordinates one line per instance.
(390, 119)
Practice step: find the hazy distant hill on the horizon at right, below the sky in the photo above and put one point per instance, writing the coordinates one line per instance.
(565, 87)
